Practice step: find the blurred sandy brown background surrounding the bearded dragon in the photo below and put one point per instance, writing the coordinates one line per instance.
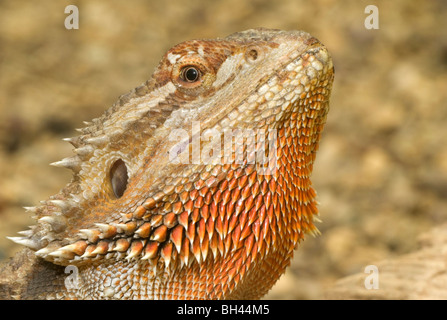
(381, 173)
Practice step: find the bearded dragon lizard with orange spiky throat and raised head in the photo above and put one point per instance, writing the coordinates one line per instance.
(157, 208)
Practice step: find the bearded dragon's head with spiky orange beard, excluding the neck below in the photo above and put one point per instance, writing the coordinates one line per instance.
(141, 188)
